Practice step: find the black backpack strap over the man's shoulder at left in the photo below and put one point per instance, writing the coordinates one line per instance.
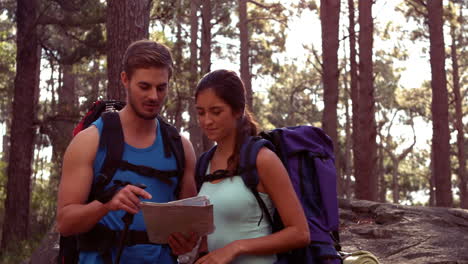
(113, 139)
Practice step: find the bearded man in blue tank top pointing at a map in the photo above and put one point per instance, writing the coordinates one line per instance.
(147, 68)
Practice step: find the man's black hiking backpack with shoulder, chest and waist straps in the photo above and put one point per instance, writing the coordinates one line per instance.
(112, 139)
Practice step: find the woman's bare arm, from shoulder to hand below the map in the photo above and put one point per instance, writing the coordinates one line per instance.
(275, 181)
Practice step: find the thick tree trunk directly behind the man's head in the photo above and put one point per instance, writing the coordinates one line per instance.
(127, 21)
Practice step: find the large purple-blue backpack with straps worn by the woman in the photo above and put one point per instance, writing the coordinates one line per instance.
(307, 154)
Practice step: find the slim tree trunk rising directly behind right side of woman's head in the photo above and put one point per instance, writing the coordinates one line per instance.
(244, 50)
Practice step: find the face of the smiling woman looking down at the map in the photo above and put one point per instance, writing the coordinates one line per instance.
(215, 116)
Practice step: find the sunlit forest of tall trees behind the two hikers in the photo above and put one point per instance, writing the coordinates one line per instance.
(384, 79)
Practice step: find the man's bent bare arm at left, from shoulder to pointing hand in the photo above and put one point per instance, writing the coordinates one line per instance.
(74, 216)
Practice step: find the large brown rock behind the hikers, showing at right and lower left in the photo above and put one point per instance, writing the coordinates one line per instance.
(396, 234)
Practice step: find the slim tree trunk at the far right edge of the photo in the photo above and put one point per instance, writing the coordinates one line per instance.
(462, 182)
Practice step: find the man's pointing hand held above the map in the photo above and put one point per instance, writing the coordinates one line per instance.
(127, 199)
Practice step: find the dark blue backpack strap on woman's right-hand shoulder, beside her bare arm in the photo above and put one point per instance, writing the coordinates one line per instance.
(248, 169)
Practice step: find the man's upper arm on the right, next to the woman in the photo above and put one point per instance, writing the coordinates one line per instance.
(187, 187)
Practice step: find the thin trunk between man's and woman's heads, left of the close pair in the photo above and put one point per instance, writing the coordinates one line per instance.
(196, 136)
